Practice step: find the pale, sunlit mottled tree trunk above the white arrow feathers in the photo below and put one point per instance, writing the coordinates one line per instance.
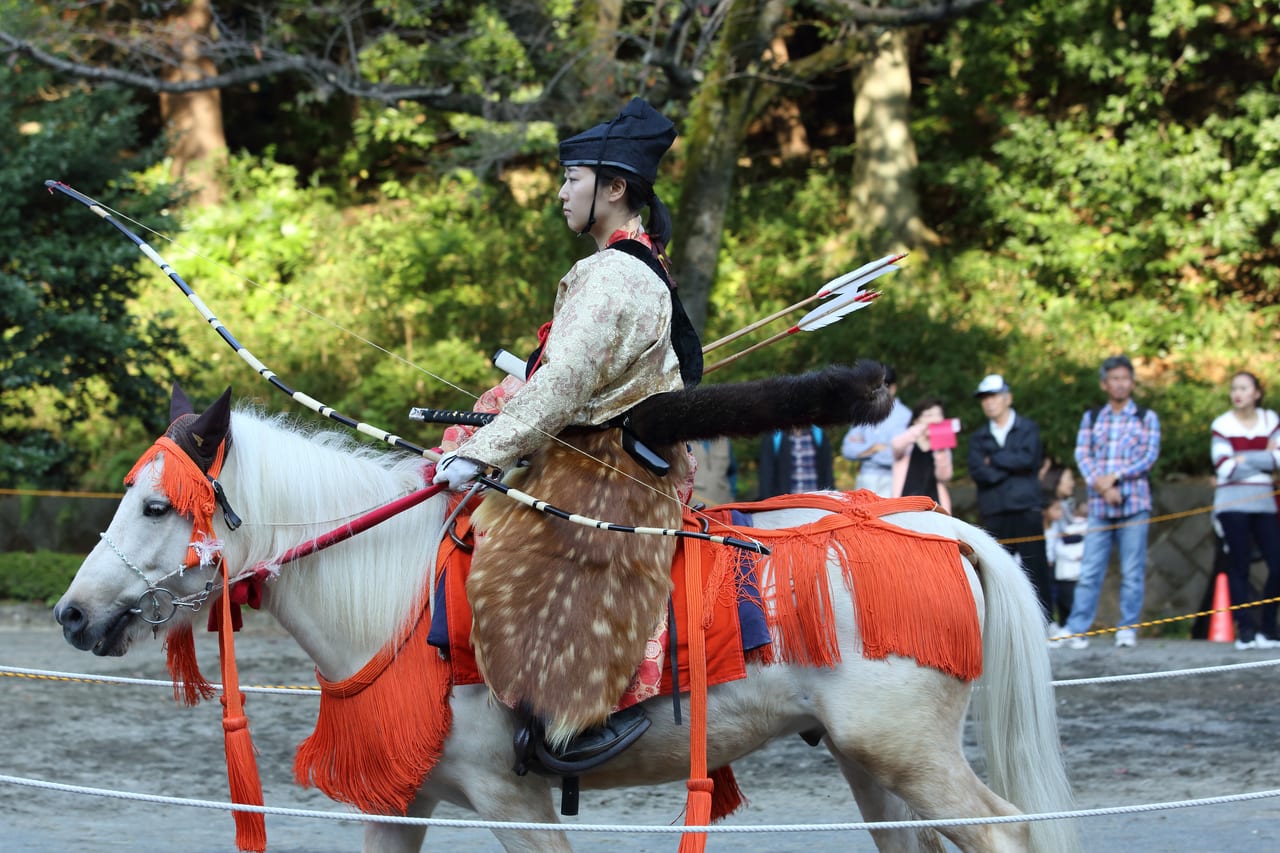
(885, 208)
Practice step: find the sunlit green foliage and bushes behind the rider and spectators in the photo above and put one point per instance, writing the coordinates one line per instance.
(1101, 177)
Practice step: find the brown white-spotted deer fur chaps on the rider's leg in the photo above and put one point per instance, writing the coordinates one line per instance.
(561, 613)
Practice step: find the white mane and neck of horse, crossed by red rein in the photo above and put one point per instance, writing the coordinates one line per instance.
(290, 485)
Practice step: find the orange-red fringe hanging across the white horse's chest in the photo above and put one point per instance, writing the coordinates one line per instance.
(381, 732)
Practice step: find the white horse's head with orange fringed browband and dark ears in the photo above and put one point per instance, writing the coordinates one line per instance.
(157, 556)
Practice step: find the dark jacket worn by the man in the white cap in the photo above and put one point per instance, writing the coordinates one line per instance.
(1008, 478)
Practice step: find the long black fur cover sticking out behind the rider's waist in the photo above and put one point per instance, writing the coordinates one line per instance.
(836, 395)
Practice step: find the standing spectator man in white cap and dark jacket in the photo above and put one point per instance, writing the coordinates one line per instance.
(1005, 457)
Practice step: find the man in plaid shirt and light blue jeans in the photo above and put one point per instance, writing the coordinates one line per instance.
(1116, 450)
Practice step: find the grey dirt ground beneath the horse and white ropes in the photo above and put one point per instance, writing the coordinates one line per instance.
(1127, 743)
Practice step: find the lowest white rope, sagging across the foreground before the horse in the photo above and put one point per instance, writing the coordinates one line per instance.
(639, 829)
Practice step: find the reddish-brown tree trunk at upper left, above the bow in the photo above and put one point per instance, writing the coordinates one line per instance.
(195, 120)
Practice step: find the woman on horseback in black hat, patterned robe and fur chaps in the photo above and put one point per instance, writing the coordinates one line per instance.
(563, 613)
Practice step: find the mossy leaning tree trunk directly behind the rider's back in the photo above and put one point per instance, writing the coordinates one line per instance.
(719, 118)
